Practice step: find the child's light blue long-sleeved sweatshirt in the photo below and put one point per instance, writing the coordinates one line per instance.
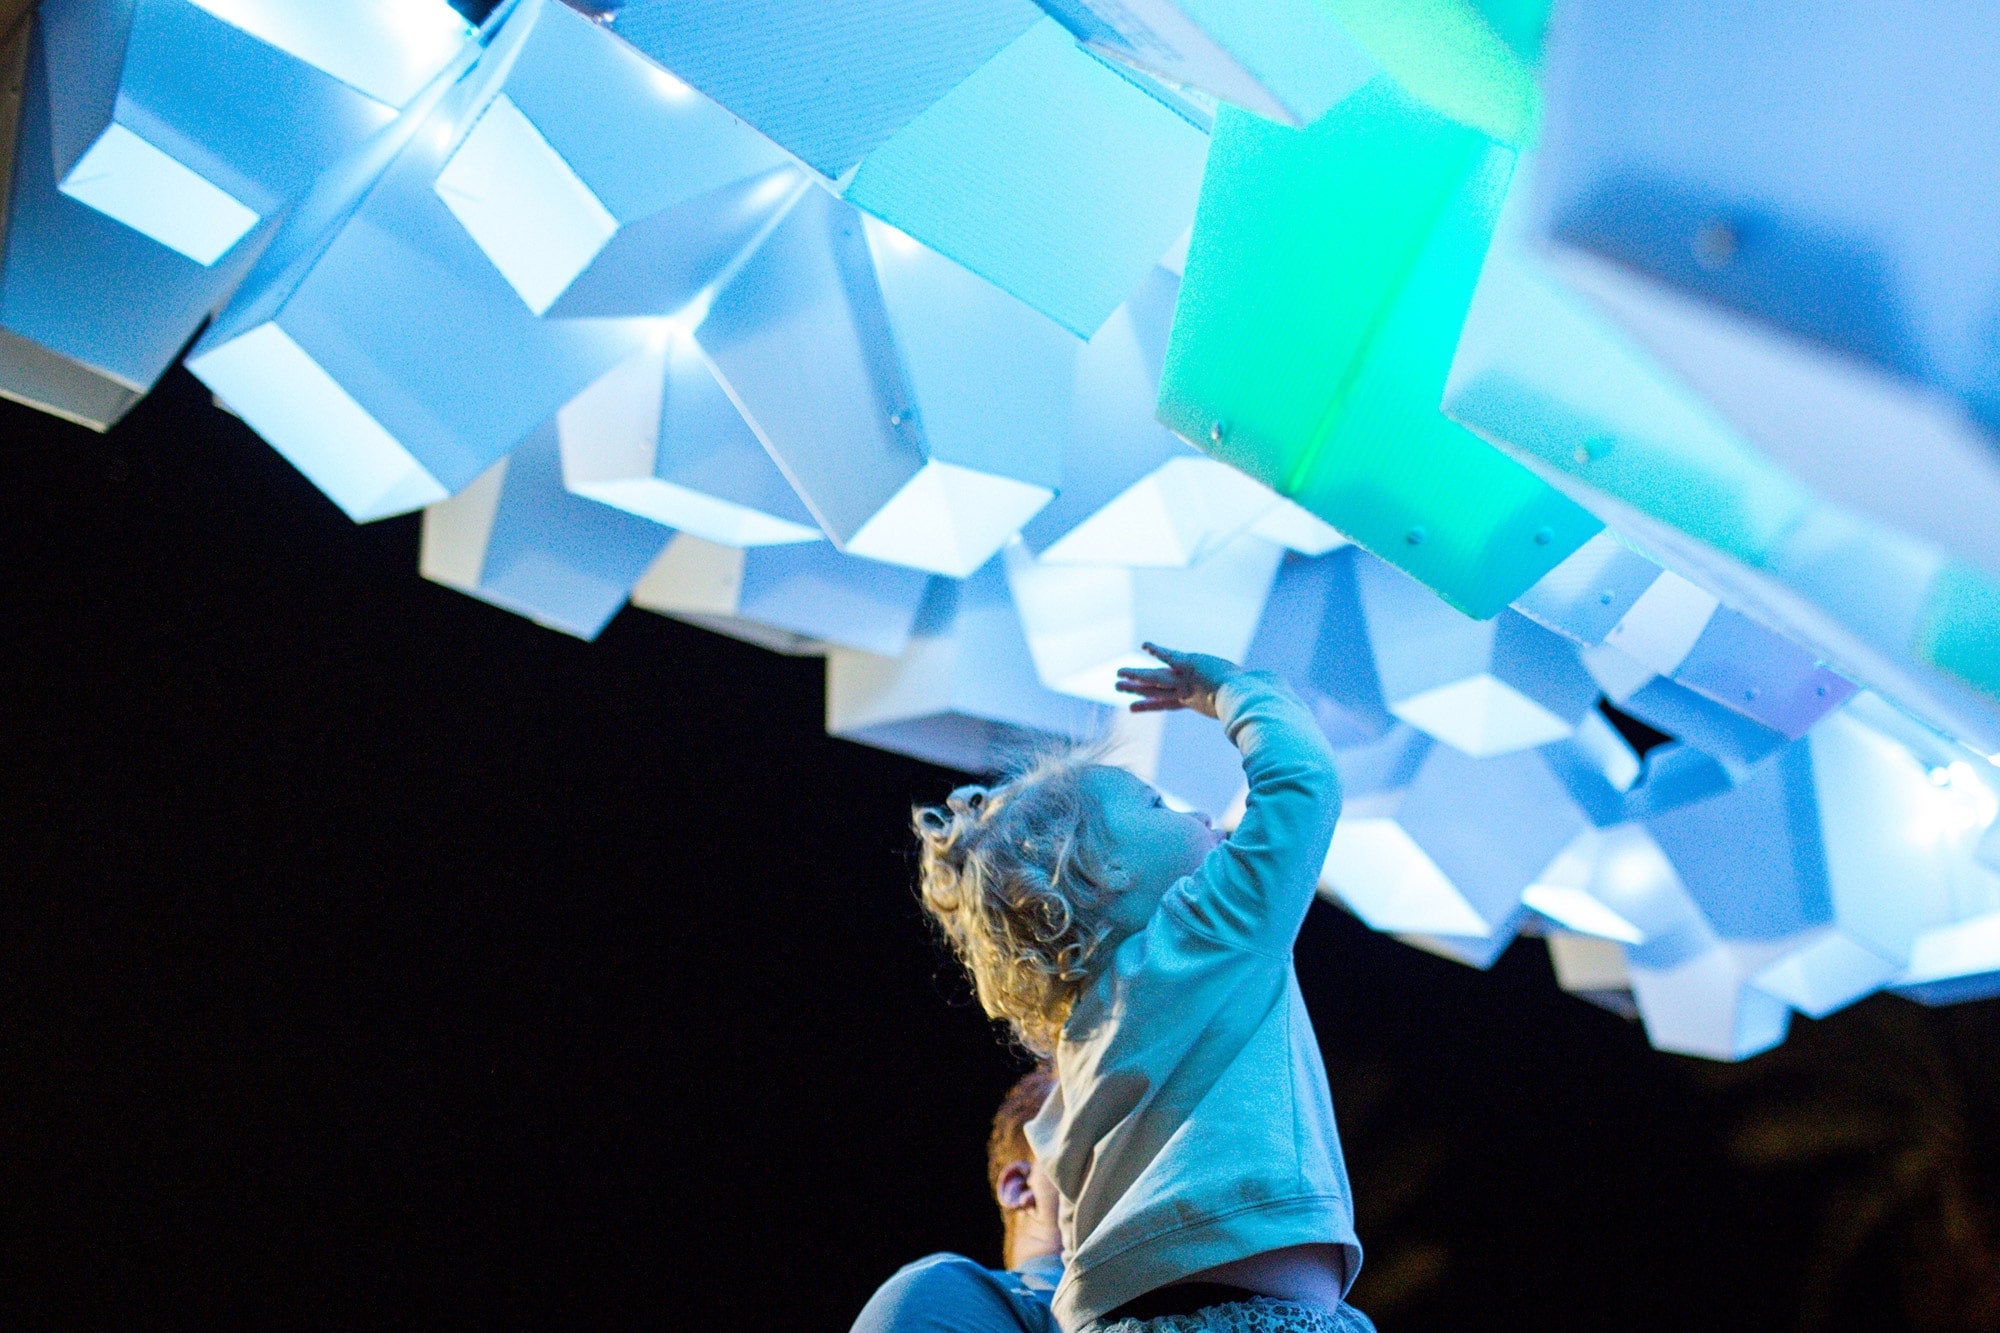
(1193, 1124)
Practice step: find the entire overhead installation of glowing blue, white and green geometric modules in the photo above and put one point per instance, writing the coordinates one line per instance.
(1613, 483)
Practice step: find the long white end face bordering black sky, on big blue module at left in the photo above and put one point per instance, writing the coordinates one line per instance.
(317, 425)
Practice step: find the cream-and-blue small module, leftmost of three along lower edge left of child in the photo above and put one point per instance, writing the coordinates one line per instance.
(521, 541)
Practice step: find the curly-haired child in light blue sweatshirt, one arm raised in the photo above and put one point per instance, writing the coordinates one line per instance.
(1191, 1132)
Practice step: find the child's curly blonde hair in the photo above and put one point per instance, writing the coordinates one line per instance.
(1013, 878)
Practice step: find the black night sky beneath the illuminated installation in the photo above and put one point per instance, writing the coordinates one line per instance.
(371, 956)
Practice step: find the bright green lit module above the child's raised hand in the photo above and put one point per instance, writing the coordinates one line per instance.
(1327, 281)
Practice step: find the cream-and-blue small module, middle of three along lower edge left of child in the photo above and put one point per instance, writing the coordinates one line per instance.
(797, 597)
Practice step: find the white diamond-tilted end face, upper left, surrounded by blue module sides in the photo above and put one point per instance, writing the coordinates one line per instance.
(515, 195)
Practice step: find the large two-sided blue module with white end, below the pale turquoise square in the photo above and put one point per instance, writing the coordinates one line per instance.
(919, 411)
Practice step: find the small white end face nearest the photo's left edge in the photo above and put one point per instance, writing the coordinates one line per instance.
(141, 185)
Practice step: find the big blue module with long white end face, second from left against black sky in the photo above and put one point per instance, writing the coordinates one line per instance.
(375, 345)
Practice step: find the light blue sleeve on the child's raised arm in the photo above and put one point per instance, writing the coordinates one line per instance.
(1257, 886)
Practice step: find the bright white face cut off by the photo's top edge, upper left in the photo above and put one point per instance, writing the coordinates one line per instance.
(387, 49)
